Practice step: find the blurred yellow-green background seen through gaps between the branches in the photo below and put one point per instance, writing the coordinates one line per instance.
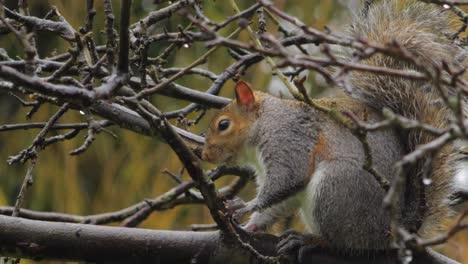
(117, 172)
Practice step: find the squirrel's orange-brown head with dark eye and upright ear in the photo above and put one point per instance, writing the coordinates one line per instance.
(230, 128)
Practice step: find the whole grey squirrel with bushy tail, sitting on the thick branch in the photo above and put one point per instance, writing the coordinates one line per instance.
(306, 161)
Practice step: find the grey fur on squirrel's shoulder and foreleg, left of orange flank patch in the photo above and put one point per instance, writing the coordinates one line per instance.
(285, 135)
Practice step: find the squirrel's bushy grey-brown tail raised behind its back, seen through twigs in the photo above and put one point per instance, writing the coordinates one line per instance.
(423, 30)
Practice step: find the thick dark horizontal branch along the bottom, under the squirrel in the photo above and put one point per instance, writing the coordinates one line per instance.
(40, 240)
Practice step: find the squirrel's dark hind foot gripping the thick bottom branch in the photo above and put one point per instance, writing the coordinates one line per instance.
(294, 245)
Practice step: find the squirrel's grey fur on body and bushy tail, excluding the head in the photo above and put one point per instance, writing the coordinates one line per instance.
(341, 202)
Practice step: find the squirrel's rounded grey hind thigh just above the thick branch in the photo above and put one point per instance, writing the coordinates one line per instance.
(348, 210)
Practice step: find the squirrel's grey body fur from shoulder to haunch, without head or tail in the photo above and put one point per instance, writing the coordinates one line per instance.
(348, 212)
